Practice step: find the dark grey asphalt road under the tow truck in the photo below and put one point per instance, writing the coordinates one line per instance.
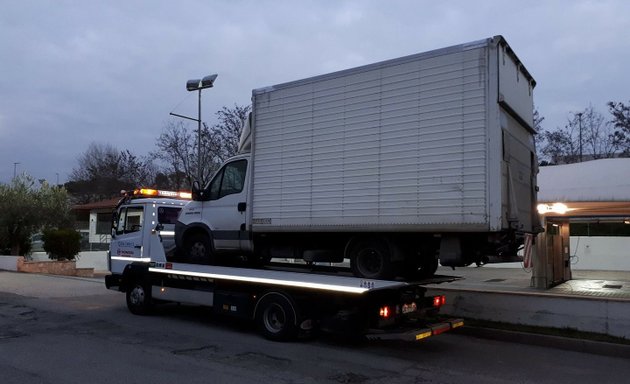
(68, 330)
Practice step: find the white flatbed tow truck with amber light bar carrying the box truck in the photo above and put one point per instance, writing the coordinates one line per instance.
(284, 303)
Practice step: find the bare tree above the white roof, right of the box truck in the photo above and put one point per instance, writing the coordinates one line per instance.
(587, 135)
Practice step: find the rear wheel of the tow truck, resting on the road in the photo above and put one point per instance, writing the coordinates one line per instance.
(276, 317)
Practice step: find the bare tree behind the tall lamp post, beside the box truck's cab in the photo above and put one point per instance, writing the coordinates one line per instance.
(177, 148)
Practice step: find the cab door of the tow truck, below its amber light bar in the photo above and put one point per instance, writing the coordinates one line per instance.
(127, 243)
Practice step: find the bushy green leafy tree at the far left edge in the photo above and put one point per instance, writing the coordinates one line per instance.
(27, 208)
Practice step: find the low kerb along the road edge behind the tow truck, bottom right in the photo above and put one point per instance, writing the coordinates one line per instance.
(564, 343)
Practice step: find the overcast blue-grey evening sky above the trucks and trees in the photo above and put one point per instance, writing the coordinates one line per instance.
(109, 72)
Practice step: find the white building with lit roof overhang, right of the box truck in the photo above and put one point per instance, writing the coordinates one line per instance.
(597, 198)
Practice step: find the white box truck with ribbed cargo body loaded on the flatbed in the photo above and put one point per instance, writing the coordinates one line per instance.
(390, 165)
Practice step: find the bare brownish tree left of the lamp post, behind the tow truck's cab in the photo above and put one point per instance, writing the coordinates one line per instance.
(104, 171)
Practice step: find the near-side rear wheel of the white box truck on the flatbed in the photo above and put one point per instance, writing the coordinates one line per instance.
(371, 259)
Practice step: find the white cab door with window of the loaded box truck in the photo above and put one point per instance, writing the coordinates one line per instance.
(226, 205)
